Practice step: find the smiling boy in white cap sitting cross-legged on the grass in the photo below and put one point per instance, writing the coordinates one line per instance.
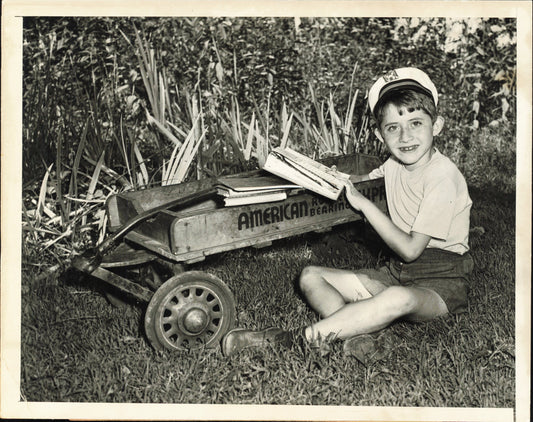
(428, 228)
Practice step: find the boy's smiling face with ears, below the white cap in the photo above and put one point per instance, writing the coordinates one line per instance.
(408, 134)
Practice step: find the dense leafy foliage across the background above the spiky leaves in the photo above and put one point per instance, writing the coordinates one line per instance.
(87, 67)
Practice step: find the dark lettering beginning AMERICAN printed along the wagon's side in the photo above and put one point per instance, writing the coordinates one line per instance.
(296, 210)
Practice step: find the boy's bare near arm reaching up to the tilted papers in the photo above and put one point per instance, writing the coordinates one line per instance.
(407, 246)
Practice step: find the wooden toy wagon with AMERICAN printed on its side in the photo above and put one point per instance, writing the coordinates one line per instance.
(181, 224)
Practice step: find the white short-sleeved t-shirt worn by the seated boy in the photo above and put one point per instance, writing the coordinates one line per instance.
(432, 199)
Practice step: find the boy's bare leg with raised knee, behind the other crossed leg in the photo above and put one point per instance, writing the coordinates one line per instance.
(328, 289)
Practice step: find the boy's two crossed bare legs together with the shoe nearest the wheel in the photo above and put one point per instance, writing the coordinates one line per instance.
(371, 306)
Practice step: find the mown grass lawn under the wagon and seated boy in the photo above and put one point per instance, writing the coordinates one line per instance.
(76, 347)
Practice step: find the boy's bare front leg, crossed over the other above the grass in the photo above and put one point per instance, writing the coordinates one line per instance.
(376, 313)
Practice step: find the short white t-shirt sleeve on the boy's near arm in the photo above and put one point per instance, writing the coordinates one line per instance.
(436, 210)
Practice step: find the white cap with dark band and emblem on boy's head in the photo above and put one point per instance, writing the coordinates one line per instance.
(405, 77)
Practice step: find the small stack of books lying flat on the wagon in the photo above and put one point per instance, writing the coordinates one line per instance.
(253, 190)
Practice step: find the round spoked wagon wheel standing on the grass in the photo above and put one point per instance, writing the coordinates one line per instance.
(190, 310)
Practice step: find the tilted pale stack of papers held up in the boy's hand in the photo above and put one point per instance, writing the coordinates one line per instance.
(306, 172)
